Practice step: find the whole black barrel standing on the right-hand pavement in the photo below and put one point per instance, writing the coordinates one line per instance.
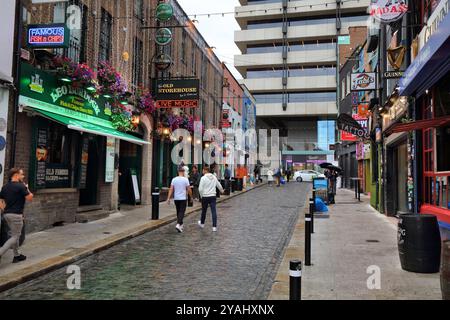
(419, 243)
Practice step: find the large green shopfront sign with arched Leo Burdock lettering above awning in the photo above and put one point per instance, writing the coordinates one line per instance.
(43, 91)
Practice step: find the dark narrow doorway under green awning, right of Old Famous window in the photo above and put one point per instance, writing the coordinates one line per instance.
(88, 195)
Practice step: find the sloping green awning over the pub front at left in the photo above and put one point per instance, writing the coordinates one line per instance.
(83, 126)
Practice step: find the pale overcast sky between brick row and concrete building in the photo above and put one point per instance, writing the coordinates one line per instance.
(217, 30)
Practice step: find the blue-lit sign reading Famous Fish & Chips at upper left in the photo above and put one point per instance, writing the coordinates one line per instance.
(54, 35)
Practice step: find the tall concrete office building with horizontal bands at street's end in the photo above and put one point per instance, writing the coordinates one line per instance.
(288, 62)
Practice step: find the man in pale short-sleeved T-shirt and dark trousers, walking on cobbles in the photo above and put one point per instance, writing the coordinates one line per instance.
(180, 188)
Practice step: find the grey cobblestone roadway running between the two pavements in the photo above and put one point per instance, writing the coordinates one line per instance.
(239, 261)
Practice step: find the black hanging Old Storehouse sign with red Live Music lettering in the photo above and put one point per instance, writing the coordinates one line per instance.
(177, 93)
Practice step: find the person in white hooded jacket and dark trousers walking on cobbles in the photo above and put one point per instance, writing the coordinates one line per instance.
(207, 190)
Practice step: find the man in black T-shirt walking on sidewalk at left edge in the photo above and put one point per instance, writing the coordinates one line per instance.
(15, 193)
